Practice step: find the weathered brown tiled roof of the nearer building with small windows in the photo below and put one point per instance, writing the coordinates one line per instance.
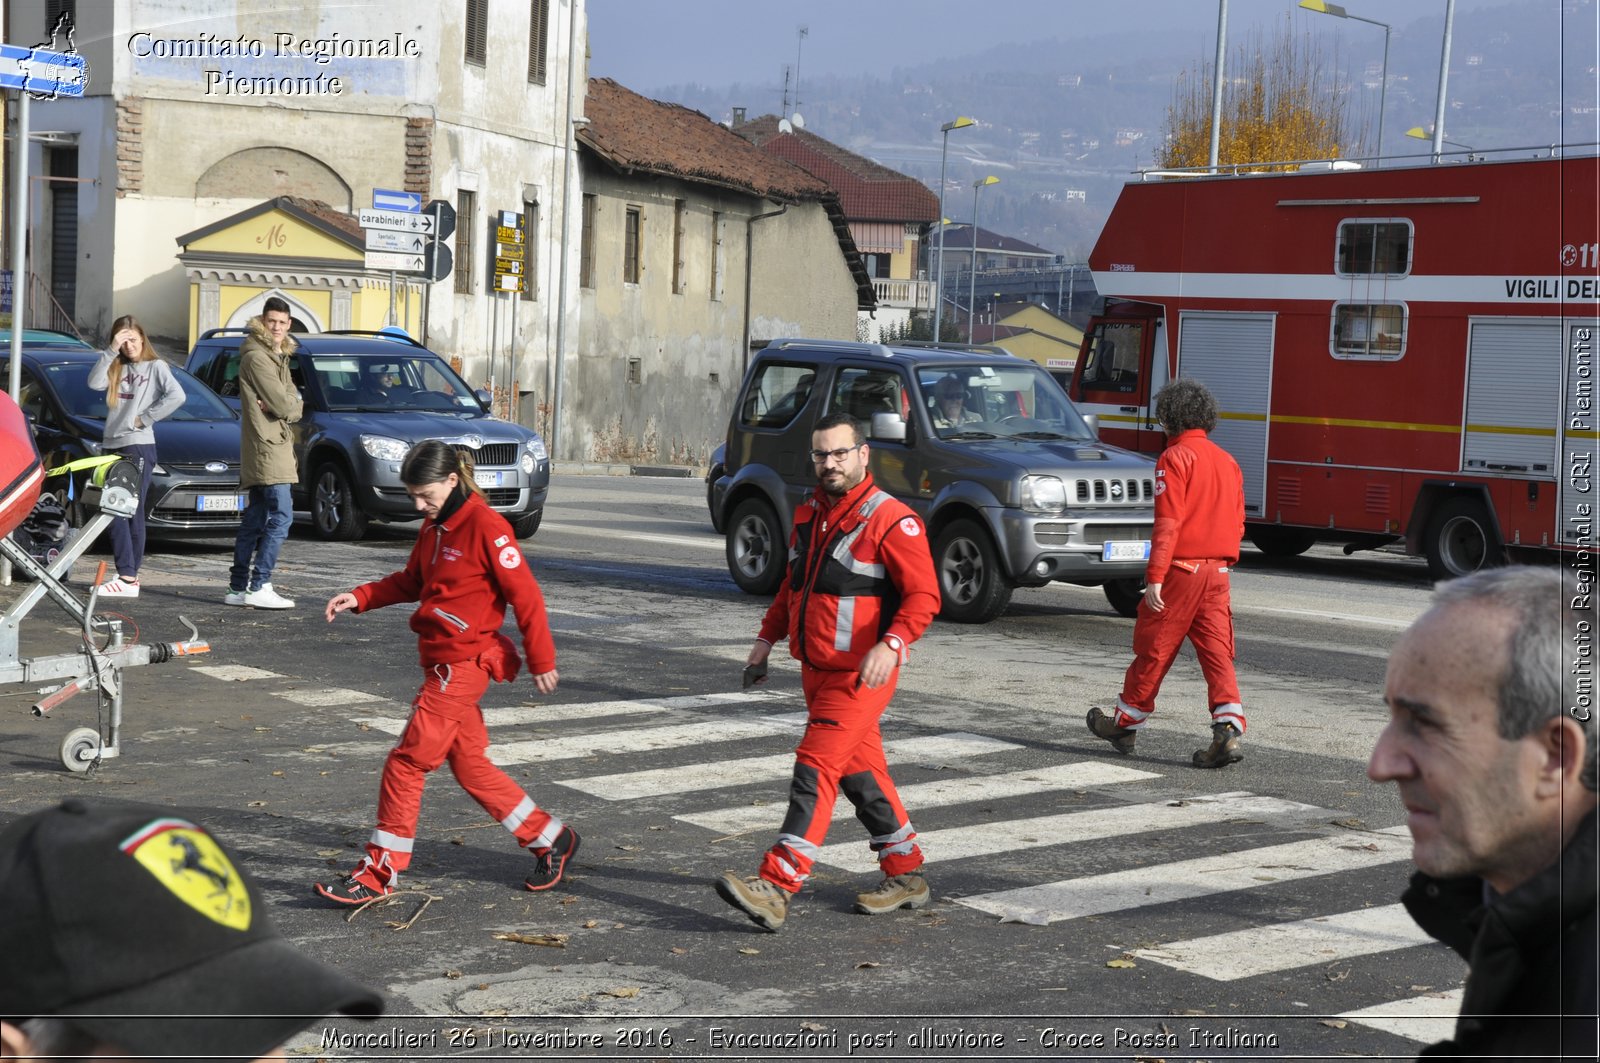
(636, 134)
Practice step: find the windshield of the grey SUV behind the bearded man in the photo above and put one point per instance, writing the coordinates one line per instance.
(999, 403)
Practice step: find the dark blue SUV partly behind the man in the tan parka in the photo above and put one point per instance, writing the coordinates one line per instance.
(369, 399)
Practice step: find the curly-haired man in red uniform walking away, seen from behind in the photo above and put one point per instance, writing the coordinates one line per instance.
(1199, 523)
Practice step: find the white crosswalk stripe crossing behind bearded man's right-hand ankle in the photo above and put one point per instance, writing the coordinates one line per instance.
(1078, 827)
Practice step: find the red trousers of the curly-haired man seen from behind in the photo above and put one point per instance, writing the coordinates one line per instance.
(1198, 608)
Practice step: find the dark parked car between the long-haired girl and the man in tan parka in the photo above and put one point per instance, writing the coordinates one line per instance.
(194, 487)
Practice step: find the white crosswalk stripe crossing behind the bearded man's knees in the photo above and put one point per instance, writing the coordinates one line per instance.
(718, 774)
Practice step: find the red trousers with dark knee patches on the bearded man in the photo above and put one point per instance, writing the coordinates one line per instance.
(842, 752)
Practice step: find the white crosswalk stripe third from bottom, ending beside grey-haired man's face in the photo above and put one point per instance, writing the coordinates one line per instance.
(1138, 888)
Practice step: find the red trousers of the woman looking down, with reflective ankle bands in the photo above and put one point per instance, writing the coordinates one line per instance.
(447, 726)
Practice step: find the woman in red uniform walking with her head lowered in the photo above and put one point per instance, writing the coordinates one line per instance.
(463, 572)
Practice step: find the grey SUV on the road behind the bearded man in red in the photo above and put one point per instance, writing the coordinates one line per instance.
(1010, 479)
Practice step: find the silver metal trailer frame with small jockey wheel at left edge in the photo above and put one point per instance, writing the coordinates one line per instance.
(111, 494)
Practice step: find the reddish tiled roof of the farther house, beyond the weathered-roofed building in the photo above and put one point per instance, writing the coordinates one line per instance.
(868, 191)
